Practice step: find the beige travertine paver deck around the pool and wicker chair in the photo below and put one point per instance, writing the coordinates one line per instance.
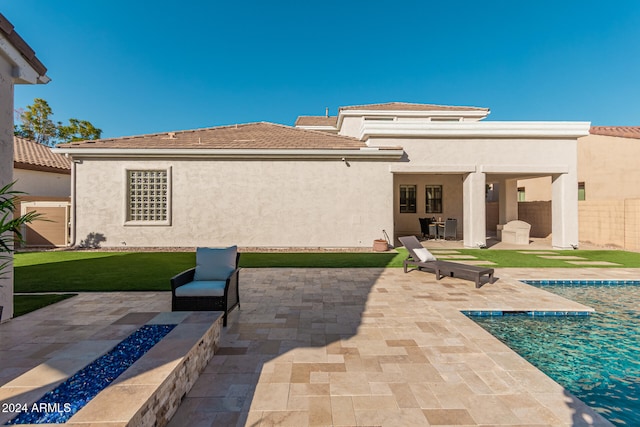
(342, 347)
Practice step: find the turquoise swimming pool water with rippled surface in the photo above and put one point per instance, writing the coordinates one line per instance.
(595, 357)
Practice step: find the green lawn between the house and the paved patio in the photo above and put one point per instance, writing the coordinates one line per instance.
(150, 271)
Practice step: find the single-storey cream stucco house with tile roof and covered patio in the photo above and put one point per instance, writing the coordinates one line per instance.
(327, 182)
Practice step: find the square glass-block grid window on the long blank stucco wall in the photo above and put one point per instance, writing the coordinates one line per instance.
(148, 196)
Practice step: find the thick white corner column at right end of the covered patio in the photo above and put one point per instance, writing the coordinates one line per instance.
(564, 210)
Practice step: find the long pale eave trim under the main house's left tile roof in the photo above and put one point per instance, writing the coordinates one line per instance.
(365, 153)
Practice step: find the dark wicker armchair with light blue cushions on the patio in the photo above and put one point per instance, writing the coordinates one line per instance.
(212, 285)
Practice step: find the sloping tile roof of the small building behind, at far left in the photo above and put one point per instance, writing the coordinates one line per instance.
(33, 156)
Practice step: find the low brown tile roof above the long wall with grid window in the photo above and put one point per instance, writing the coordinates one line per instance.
(260, 135)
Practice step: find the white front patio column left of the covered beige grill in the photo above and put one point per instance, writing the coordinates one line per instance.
(474, 209)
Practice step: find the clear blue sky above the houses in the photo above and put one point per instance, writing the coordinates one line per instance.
(137, 67)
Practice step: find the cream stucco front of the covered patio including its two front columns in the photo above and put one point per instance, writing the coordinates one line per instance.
(494, 159)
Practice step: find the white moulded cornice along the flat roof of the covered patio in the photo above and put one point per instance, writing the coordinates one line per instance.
(564, 130)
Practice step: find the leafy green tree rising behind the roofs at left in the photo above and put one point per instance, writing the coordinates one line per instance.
(36, 125)
